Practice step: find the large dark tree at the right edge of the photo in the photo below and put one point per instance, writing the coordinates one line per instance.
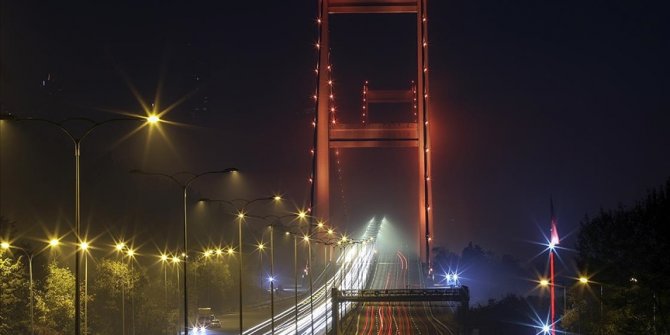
(627, 251)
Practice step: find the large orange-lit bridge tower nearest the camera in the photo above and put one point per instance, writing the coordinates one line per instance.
(376, 135)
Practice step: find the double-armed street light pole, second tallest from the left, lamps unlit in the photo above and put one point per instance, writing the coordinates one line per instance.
(184, 187)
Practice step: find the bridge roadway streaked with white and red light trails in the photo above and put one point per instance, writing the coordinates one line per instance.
(359, 267)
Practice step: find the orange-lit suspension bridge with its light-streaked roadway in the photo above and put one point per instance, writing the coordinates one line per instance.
(373, 288)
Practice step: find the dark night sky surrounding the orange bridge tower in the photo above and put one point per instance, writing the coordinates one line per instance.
(530, 100)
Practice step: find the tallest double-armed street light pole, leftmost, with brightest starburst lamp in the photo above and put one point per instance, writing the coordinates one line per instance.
(76, 140)
